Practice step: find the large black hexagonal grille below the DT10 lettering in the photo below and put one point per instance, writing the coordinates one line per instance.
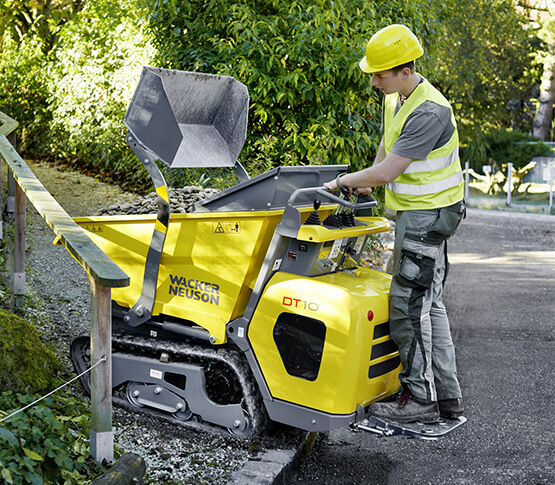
(300, 342)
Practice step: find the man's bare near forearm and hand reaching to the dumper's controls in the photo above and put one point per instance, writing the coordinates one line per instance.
(382, 172)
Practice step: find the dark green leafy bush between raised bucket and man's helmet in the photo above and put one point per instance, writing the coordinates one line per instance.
(310, 103)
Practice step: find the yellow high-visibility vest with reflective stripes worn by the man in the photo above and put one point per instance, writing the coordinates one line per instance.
(436, 181)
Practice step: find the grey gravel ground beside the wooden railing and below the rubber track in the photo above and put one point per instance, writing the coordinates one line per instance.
(58, 302)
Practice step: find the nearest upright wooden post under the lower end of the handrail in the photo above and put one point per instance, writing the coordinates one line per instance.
(102, 436)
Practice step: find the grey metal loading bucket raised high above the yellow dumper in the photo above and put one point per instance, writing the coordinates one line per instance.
(189, 119)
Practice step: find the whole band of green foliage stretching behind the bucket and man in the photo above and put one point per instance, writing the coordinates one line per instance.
(310, 103)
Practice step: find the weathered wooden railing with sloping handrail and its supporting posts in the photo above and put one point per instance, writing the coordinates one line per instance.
(104, 274)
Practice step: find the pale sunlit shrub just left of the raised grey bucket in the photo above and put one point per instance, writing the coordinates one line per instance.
(93, 74)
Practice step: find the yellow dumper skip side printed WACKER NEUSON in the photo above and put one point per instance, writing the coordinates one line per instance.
(207, 265)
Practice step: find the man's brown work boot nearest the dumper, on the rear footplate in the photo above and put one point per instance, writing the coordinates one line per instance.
(407, 409)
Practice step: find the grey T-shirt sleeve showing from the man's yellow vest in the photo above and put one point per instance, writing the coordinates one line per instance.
(428, 127)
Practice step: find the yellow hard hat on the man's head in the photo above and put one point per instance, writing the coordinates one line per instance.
(390, 47)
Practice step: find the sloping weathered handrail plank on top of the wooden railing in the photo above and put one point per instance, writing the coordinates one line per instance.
(99, 266)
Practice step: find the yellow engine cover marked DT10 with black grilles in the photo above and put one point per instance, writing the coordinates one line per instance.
(324, 342)
